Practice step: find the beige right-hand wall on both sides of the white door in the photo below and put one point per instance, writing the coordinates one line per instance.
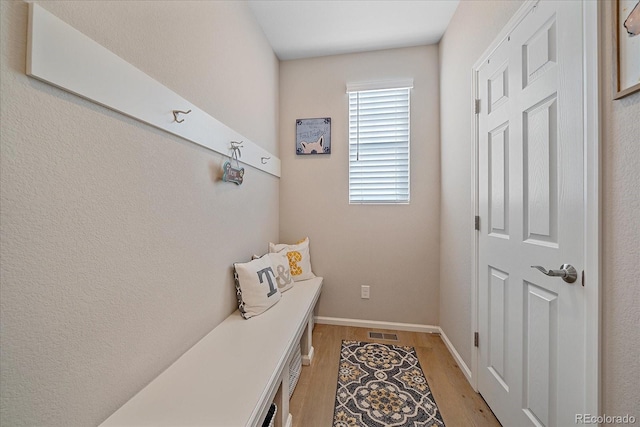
(620, 191)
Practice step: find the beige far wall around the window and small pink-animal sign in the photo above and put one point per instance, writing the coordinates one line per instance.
(394, 249)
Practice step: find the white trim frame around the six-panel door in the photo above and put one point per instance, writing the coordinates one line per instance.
(591, 115)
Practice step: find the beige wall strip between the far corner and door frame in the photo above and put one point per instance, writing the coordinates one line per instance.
(472, 29)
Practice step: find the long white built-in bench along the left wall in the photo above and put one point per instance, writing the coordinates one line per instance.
(231, 376)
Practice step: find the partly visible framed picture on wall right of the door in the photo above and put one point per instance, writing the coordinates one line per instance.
(626, 47)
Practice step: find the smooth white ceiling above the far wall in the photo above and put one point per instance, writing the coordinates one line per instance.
(308, 28)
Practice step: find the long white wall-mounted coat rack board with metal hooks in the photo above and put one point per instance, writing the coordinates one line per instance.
(64, 57)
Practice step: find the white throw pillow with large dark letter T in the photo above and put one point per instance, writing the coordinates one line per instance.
(256, 286)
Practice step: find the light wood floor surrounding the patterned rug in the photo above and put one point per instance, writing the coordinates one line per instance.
(312, 403)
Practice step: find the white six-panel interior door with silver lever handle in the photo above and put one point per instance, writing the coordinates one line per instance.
(531, 352)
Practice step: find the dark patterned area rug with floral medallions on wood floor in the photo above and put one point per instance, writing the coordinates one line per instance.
(381, 385)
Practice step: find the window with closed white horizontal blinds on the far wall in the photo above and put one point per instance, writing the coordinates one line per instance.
(379, 144)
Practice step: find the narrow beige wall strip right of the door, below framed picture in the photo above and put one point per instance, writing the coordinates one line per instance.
(620, 183)
